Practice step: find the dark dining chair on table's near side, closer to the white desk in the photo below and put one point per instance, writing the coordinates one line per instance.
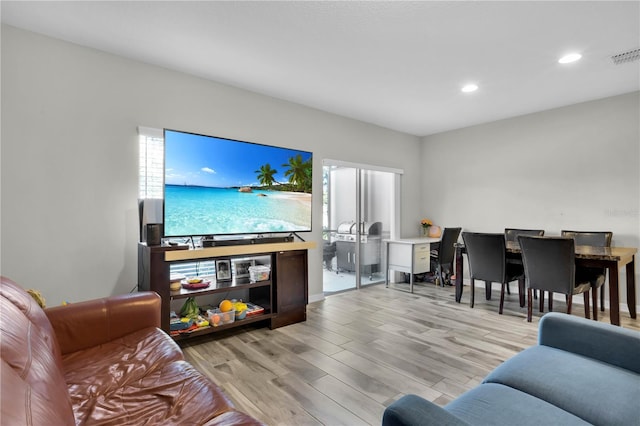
(487, 256)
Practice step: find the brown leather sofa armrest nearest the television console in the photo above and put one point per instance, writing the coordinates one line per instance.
(86, 324)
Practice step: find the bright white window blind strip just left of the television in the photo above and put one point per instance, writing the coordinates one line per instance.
(151, 155)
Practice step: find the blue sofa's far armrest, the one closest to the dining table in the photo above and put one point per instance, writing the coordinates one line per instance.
(604, 342)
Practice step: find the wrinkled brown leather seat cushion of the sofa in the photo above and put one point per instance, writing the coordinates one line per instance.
(140, 378)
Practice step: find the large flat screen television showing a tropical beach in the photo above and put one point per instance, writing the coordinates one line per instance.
(216, 186)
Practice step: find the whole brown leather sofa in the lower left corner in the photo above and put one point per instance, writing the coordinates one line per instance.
(104, 362)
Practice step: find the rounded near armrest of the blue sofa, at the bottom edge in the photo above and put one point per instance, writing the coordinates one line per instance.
(412, 410)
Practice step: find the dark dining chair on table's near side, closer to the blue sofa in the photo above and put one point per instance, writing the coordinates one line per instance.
(550, 265)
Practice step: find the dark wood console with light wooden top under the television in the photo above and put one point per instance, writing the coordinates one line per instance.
(284, 296)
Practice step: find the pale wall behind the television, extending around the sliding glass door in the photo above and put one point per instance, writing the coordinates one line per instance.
(70, 159)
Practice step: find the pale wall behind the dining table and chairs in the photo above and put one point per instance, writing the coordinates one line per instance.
(575, 167)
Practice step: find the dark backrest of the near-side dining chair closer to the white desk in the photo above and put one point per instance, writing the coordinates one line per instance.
(487, 256)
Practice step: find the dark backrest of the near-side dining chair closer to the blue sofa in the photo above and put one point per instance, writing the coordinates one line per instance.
(549, 263)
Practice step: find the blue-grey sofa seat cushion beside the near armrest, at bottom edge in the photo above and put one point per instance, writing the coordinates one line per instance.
(496, 404)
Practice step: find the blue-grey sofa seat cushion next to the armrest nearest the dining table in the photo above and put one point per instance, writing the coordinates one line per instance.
(567, 380)
